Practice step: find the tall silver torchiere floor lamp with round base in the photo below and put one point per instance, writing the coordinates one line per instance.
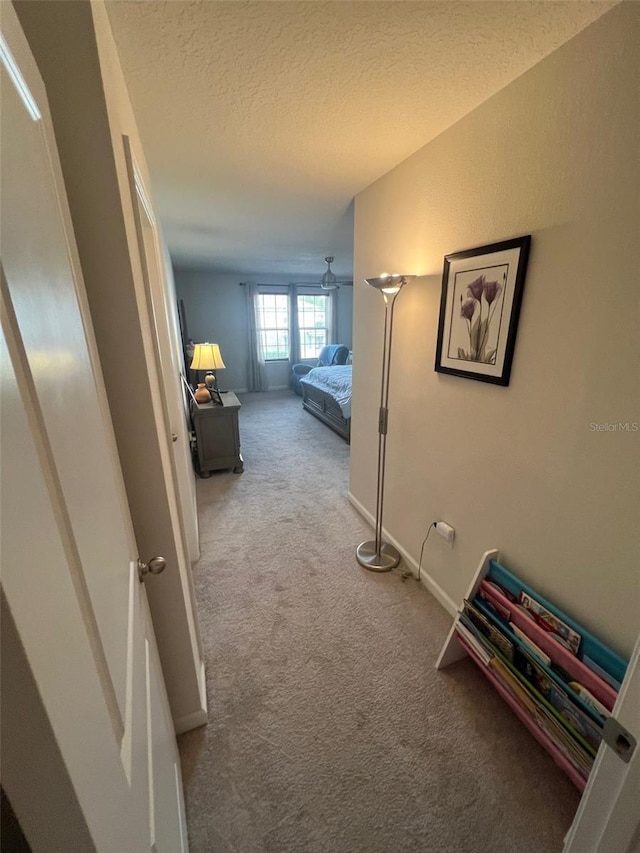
(377, 555)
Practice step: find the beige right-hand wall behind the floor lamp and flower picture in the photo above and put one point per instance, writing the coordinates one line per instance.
(556, 155)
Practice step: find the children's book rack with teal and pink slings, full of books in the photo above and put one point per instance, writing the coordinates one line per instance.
(559, 679)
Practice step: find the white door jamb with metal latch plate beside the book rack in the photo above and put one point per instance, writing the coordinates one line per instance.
(608, 817)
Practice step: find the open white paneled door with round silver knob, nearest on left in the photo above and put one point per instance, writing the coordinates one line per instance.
(69, 560)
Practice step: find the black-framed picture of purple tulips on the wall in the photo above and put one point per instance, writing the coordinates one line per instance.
(479, 310)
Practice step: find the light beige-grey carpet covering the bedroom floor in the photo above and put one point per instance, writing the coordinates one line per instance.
(330, 730)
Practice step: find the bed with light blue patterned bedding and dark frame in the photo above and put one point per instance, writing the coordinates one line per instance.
(326, 393)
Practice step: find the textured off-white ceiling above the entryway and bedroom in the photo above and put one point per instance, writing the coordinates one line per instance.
(261, 121)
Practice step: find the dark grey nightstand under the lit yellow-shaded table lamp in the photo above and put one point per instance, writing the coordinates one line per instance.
(217, 435)
